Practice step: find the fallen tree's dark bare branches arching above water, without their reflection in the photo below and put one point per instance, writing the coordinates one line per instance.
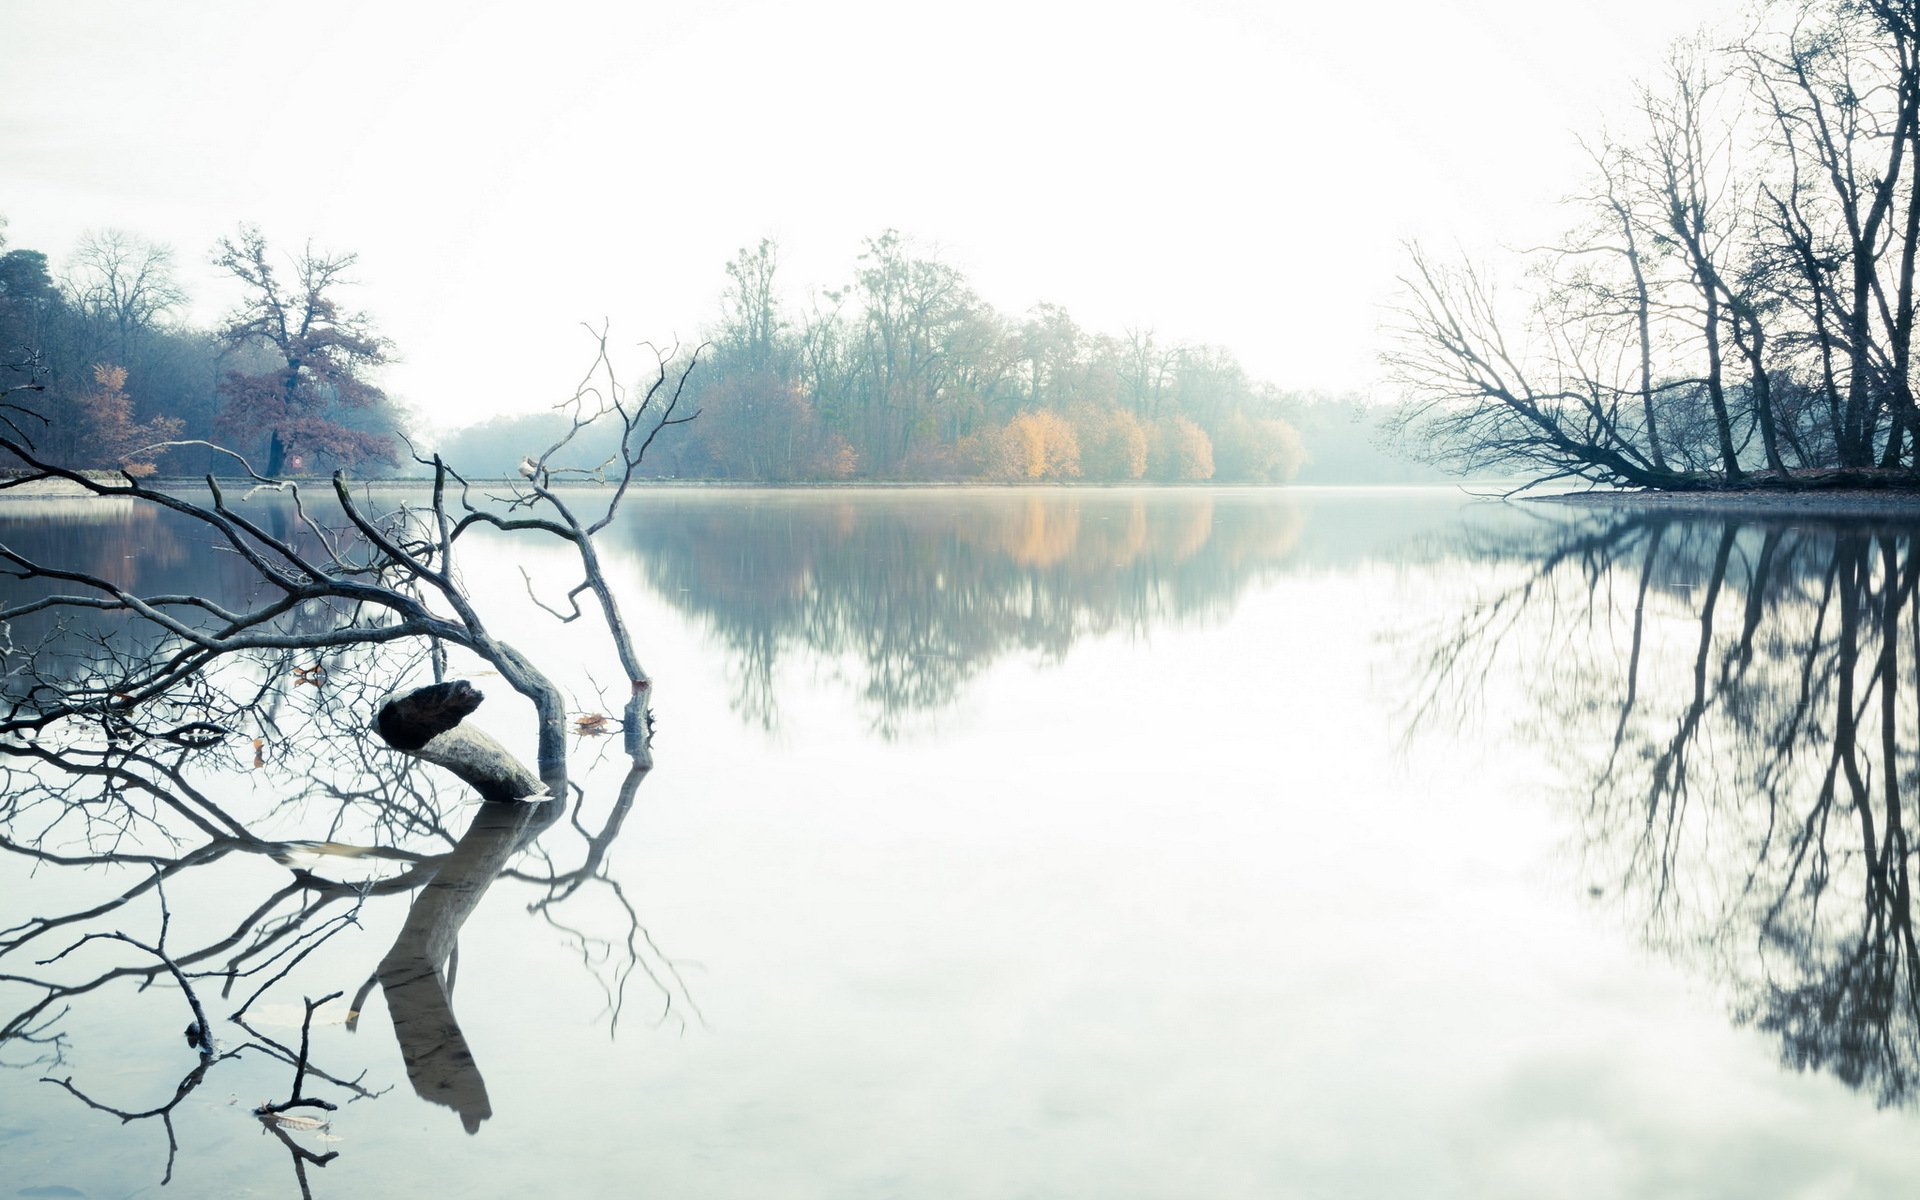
(348, 573)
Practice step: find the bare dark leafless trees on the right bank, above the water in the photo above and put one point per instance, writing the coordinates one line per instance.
(1737, 302)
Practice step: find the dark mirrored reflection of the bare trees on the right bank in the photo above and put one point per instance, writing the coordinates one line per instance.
(1737, 704)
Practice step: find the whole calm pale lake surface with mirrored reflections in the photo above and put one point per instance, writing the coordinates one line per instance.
(1059, 844)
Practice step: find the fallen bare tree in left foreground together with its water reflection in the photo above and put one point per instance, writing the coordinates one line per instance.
(325, 656)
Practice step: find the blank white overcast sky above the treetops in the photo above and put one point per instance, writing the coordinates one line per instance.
(1218, 170)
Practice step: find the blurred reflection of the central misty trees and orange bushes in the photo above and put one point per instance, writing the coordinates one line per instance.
(924, 590)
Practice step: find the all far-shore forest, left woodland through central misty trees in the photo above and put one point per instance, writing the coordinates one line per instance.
(903, 373)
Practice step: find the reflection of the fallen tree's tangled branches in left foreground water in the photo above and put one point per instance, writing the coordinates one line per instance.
(229, 867)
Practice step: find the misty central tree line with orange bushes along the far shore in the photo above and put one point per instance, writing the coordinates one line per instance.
(905, 373)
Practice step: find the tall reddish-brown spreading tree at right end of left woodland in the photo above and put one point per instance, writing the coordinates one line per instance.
(318, 356)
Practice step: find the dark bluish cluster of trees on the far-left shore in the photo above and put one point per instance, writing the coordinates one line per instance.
(103, 372)
